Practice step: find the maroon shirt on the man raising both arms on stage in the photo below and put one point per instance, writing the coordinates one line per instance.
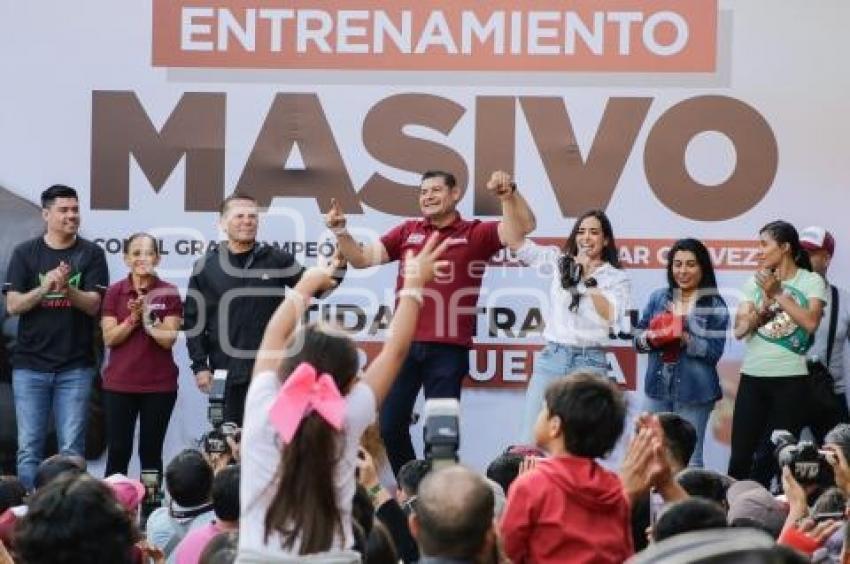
(448, 311)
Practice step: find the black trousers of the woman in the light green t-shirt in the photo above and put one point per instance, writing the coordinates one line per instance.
(764, 404)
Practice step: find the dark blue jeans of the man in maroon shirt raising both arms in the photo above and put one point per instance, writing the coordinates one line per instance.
(438, 368)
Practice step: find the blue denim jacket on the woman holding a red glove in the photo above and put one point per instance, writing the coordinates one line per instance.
(696, 369)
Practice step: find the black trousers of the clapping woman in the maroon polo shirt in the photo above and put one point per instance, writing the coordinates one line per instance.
(122, 409)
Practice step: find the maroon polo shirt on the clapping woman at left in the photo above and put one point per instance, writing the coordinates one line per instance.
(139, 364)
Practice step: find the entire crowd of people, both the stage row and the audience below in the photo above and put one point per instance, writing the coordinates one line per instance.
(318, 464)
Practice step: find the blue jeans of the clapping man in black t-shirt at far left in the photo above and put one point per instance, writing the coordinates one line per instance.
(66, 394)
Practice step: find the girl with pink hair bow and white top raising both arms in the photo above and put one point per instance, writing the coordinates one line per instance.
(304, 415)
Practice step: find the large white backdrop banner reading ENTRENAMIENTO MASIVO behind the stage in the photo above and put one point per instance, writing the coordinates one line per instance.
(703, 118)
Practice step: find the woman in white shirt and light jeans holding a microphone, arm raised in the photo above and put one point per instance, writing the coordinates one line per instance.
(588, 301)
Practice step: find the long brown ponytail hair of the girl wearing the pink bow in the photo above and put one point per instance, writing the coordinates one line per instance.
(304, 507)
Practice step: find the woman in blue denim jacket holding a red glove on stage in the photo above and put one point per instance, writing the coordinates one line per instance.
(684, 331)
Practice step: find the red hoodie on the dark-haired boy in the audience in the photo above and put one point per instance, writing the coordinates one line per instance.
(568, 510)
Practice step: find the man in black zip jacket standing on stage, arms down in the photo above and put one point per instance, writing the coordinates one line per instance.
(233, 292)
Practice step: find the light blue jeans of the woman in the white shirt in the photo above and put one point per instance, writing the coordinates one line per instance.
(554, 362)
